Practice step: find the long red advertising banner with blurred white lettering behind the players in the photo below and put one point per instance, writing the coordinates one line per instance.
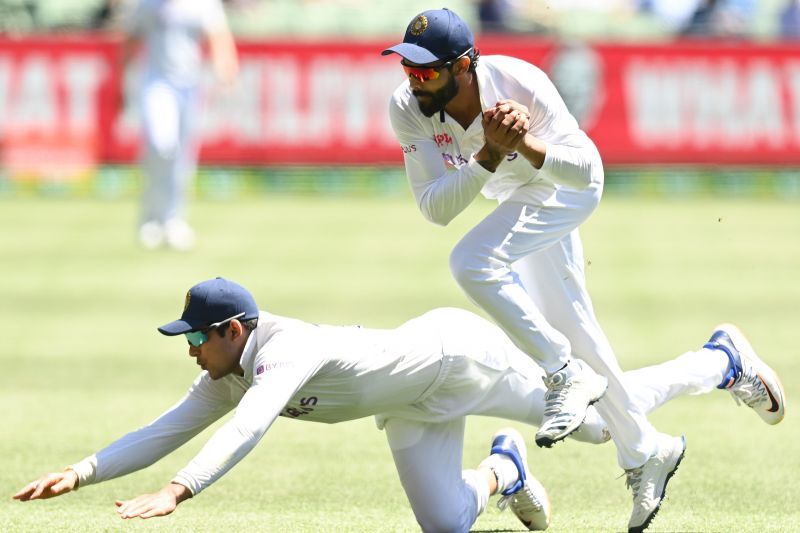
(62, 106)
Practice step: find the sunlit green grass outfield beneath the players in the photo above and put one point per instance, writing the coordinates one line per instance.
(82, 362)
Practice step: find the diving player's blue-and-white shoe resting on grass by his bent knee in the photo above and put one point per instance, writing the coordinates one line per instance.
(526, 496)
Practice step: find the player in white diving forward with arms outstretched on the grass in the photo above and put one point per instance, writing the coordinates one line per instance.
(419, 380)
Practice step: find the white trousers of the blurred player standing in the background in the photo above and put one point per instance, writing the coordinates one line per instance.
(169, 151)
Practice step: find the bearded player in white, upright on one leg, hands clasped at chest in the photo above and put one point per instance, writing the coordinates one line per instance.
(496, 125)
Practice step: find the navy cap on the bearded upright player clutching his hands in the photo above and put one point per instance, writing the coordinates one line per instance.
(435, 35)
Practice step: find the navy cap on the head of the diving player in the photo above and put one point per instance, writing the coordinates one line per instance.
(210, 302)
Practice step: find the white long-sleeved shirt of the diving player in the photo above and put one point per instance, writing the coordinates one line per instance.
(309, 372)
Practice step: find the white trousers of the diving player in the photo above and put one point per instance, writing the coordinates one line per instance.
(483, 373)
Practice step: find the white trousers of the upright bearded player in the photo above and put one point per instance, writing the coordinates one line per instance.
(523, 265)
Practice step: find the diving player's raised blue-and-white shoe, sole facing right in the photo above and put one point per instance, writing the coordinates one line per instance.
(749, 379)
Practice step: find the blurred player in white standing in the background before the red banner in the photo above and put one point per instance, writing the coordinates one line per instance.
(172, 34)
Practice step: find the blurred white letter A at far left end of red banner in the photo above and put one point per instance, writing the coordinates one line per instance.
(34, 107)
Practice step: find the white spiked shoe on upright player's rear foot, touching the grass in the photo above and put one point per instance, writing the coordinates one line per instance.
(649, 481)
